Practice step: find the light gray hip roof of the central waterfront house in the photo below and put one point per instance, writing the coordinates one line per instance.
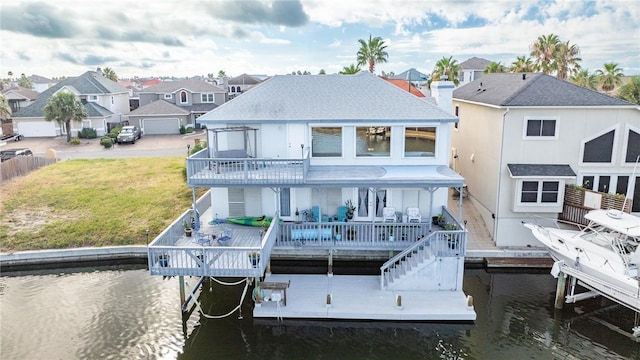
(361, 97)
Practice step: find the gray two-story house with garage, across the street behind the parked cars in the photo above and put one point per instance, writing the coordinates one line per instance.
(169, 105)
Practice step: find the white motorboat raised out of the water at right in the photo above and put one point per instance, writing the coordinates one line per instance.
(604, 256)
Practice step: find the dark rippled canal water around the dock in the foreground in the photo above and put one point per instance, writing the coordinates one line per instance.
(124, 313)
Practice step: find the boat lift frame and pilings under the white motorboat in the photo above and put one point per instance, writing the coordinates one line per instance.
(596, 287)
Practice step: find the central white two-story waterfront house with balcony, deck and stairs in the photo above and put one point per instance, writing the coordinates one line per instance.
(297, 148)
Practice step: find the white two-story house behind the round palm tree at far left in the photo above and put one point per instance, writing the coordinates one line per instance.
(105, 101)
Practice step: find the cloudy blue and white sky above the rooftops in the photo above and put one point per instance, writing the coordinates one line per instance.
(189, 37)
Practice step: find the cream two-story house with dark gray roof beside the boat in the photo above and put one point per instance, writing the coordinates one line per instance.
(521, 137)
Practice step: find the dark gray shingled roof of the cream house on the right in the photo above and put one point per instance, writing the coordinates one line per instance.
(527, 89)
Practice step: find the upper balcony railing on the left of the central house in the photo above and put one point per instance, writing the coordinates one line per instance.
(245, 171)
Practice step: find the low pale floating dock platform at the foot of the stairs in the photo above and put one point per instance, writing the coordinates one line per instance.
(358, 297)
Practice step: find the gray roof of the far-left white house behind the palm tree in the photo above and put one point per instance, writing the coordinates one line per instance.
(91, 82)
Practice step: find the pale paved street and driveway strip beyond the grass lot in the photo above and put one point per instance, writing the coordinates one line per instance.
(147, 146)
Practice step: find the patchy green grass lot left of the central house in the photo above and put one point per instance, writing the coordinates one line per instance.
(79, 203)
